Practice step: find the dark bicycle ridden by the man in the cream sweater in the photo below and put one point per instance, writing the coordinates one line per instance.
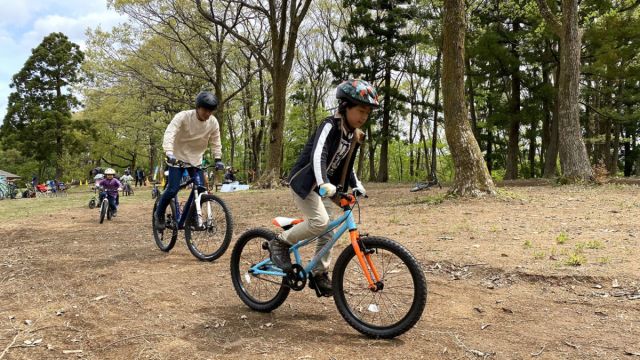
(205, 219)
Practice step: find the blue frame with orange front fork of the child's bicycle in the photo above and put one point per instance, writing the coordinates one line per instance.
(342, 224)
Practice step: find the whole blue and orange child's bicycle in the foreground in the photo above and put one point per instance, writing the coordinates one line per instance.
(379, 286)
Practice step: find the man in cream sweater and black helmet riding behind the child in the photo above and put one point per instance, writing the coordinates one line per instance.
(185, 141)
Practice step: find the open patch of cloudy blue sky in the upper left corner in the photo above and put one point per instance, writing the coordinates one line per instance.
(24, 23)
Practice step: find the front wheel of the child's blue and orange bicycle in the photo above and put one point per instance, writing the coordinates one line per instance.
(398, 303)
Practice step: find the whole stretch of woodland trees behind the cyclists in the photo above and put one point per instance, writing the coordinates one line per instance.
(514, 89)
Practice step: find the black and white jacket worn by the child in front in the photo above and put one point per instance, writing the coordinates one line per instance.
(323, 159)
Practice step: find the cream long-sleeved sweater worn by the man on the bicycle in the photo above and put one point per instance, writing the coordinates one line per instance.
(187, 137)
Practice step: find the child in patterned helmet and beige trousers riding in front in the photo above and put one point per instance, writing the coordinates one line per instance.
(321, 166)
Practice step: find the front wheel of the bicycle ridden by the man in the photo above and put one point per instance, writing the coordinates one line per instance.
(198, 248)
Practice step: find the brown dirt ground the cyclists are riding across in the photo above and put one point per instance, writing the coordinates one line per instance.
(501, 285)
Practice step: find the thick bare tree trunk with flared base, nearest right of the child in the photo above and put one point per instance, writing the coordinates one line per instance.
(471, 174)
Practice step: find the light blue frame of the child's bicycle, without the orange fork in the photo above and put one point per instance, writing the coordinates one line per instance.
(266, 267)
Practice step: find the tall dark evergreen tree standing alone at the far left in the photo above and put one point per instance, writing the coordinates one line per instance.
(38, 119)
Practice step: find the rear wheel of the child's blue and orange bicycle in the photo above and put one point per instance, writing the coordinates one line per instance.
(242, 281)
